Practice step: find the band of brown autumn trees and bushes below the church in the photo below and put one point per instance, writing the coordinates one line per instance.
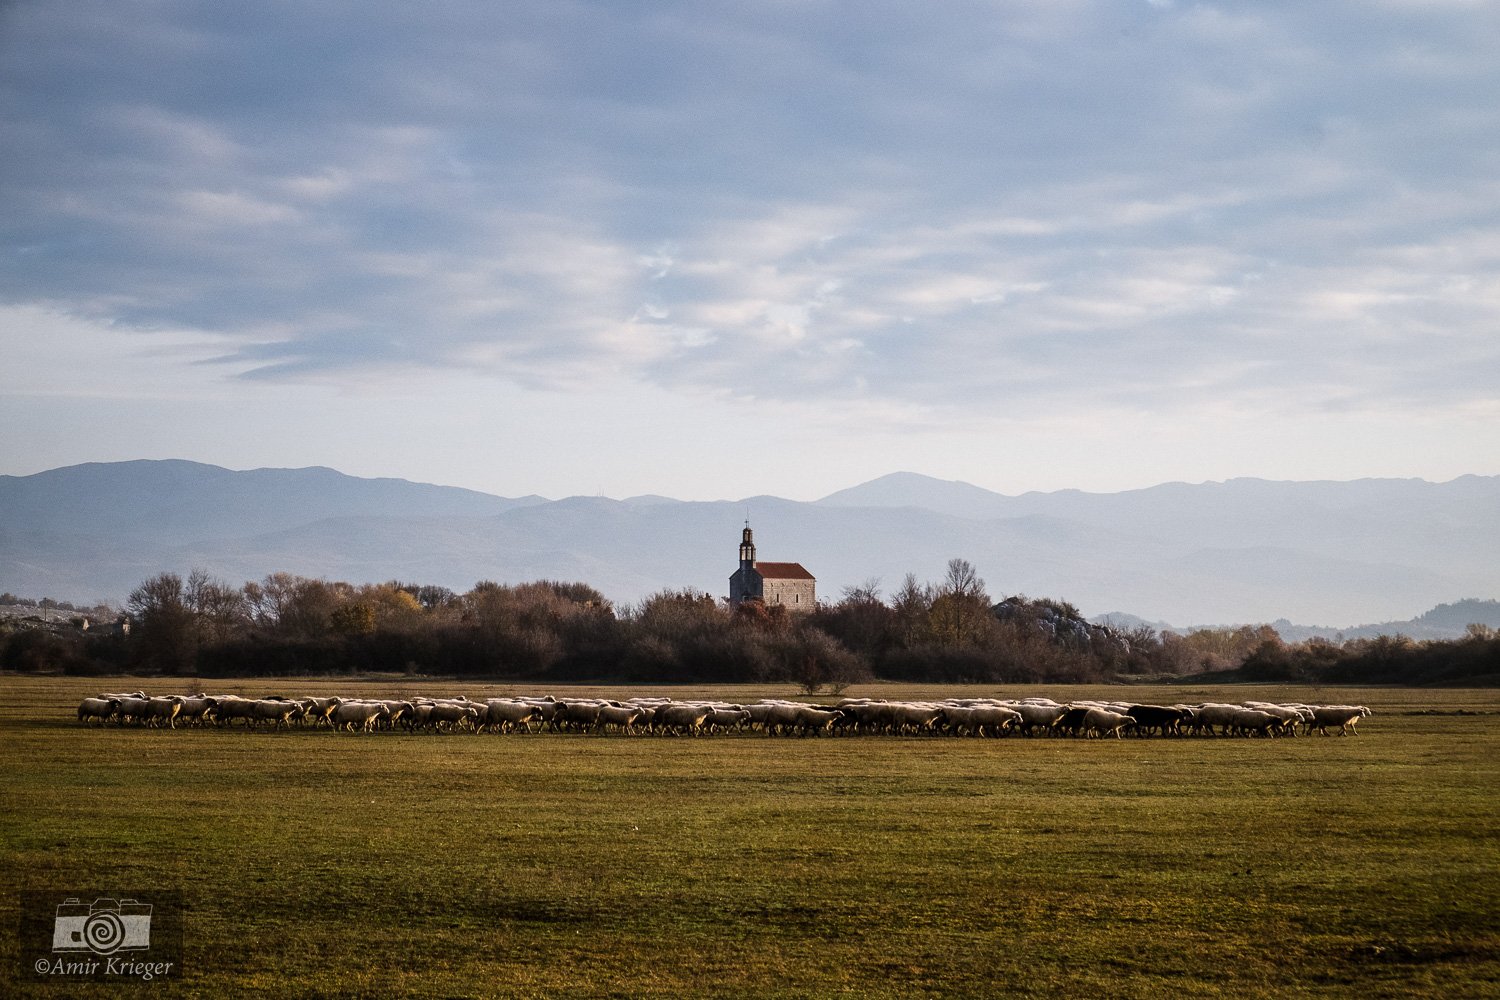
(947, 632)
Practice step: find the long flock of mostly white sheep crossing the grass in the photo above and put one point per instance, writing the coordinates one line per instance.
(955, 717)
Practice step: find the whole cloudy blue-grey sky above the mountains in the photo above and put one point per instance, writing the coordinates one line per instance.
(727, 250)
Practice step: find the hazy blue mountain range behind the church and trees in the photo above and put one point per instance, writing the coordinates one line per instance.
(1246, 551)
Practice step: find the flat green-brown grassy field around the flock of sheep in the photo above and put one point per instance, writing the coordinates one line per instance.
(554, 866)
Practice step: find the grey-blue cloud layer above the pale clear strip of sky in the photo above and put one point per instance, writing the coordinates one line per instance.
(917, 211)
